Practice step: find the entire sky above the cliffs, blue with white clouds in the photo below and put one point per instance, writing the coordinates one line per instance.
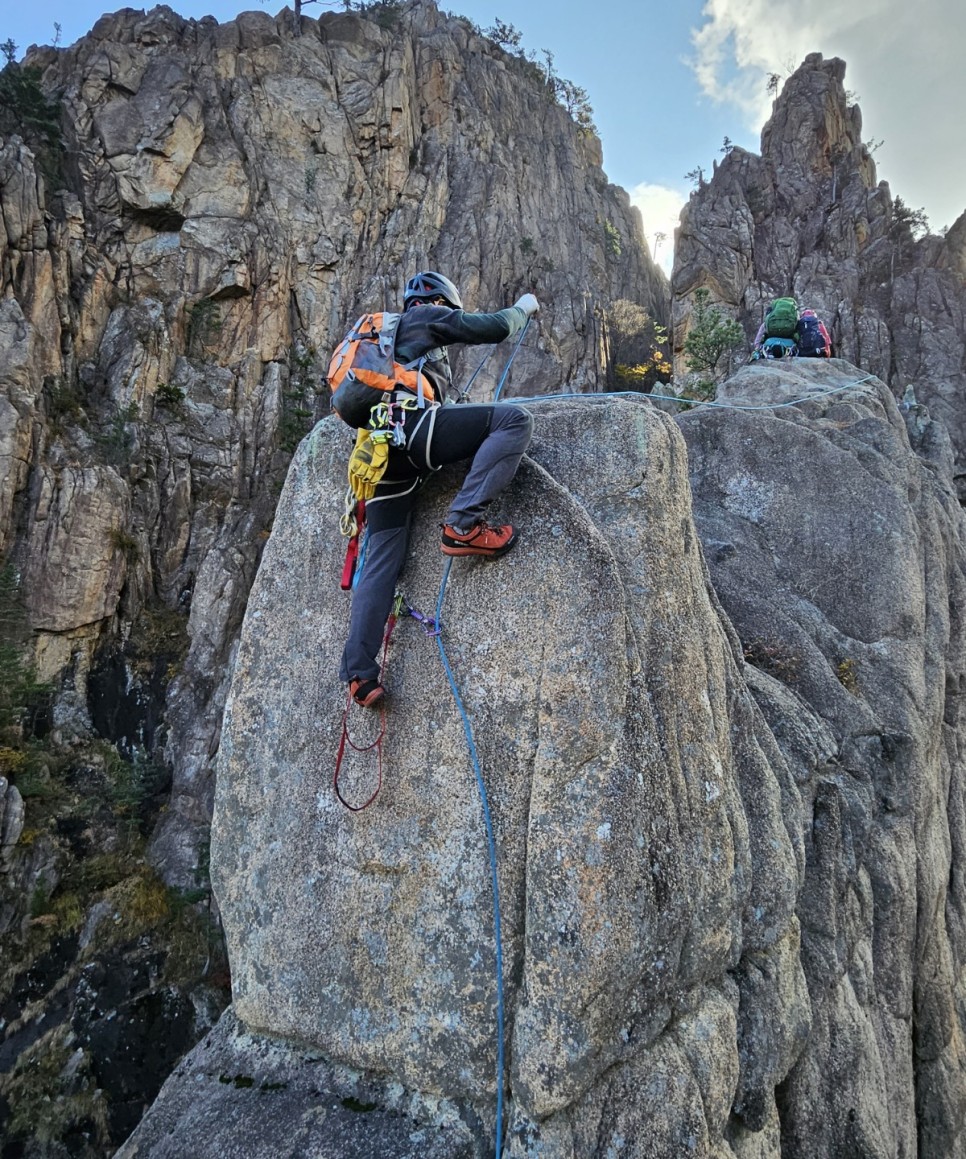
(670, 82)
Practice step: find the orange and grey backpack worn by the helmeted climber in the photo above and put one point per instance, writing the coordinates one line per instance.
(364, 362)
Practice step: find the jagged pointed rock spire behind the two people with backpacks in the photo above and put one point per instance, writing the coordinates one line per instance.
(808, 218)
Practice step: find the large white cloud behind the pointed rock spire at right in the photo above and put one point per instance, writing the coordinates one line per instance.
(904, 64)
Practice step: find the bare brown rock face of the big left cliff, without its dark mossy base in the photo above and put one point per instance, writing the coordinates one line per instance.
(236, 195)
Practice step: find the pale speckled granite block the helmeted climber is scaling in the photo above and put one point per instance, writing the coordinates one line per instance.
(649, 829)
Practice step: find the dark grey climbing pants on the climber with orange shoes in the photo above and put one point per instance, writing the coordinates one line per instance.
(496, 438)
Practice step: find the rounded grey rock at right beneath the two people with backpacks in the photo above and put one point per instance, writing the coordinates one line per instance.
(836, 543)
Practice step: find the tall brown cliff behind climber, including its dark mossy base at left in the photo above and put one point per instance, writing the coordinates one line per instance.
(228, 198)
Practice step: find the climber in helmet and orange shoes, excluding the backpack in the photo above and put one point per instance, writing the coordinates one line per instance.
(496, 438)
